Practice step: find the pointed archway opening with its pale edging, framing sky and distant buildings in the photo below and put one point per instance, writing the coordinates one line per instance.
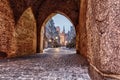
(58, 31)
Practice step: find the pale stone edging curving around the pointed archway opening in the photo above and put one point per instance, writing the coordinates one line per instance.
(43, 27)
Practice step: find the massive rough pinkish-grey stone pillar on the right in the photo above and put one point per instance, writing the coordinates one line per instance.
(103, 34)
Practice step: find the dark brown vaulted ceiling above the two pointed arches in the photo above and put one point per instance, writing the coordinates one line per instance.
(46, 7)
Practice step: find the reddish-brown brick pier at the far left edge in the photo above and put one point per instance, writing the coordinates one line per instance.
(6, 28)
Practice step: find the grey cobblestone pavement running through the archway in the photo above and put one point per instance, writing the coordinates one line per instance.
(53, 64)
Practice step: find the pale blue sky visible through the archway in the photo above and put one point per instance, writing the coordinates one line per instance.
(61, 21)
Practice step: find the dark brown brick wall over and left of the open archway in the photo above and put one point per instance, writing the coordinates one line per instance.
(67, 7)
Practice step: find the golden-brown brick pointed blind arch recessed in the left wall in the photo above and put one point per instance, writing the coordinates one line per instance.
(26, 34)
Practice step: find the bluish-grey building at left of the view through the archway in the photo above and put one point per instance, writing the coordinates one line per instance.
(51, 35)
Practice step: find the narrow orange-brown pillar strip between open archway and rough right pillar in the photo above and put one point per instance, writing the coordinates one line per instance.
(82, 28)
